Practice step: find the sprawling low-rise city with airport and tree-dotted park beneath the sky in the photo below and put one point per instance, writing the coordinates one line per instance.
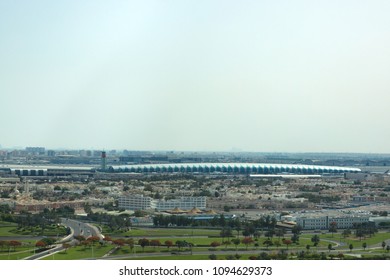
(266, 201)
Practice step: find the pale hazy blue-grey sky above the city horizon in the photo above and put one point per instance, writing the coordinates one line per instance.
(266, 76)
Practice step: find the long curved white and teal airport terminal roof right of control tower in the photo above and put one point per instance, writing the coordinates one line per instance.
(237, 168)
